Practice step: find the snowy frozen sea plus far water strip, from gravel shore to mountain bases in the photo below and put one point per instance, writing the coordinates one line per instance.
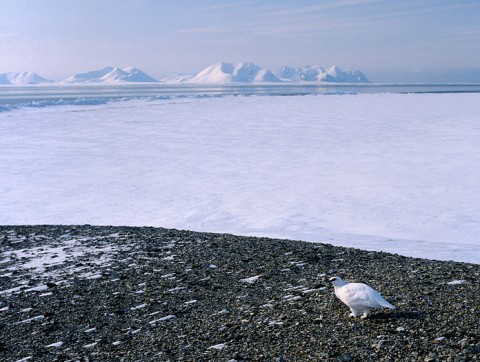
(379, 168)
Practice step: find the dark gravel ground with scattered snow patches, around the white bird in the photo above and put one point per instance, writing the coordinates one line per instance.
(84, 293)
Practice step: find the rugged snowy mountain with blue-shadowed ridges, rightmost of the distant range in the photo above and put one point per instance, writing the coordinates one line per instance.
(316, 73)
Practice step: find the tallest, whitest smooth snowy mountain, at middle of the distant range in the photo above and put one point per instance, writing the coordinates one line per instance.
(240, 72)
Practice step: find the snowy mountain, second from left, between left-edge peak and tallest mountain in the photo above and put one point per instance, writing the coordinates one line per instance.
(111, 75)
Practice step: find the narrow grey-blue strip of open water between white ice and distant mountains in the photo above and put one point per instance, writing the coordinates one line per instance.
(13, 97)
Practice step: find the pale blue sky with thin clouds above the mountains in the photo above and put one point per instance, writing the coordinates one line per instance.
(389, 40)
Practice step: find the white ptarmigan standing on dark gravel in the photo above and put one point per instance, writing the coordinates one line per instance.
(359, 297)
